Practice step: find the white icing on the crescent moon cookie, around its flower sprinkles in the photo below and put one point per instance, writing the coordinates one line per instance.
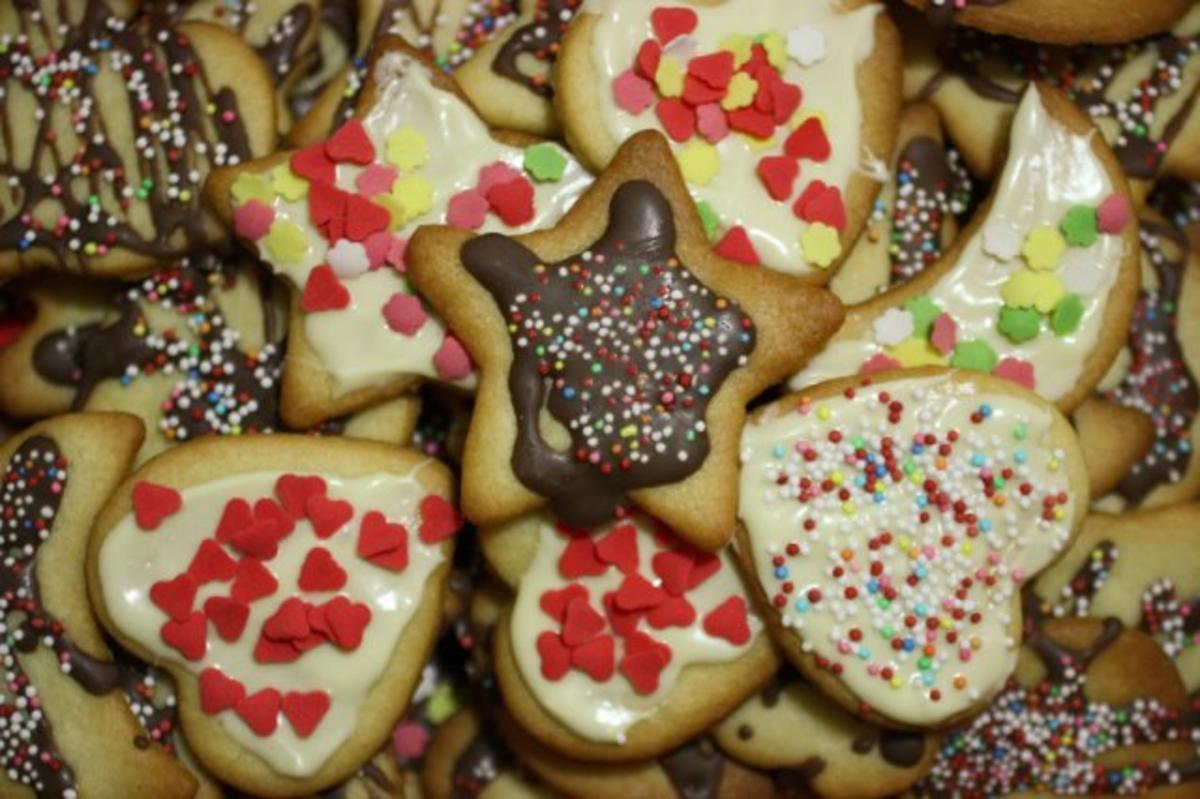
(1049, 171)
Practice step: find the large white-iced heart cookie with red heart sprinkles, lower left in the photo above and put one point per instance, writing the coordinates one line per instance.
(296, 632)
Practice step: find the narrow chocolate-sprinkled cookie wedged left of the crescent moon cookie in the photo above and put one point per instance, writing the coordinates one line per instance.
(916, 218)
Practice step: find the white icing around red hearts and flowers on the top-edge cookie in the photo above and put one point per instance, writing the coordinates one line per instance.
(736, 194)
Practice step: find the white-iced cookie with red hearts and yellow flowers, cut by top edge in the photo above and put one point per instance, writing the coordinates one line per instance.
(784, 158)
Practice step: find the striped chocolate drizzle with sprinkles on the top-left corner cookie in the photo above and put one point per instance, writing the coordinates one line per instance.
(92, 193)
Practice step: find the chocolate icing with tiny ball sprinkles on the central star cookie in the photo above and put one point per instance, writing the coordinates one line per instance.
(633, 395)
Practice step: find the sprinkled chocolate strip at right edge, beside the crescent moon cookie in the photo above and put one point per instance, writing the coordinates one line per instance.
(1160, 382)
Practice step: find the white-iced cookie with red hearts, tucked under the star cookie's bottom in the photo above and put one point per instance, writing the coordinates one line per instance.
(616, 630)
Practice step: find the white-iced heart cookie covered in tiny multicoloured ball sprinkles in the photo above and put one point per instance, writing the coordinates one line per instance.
(889, 525)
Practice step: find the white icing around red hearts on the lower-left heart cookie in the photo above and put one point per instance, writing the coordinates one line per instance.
(131, 561)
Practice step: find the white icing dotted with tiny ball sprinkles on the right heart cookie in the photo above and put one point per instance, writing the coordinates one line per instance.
(1018, 545)
